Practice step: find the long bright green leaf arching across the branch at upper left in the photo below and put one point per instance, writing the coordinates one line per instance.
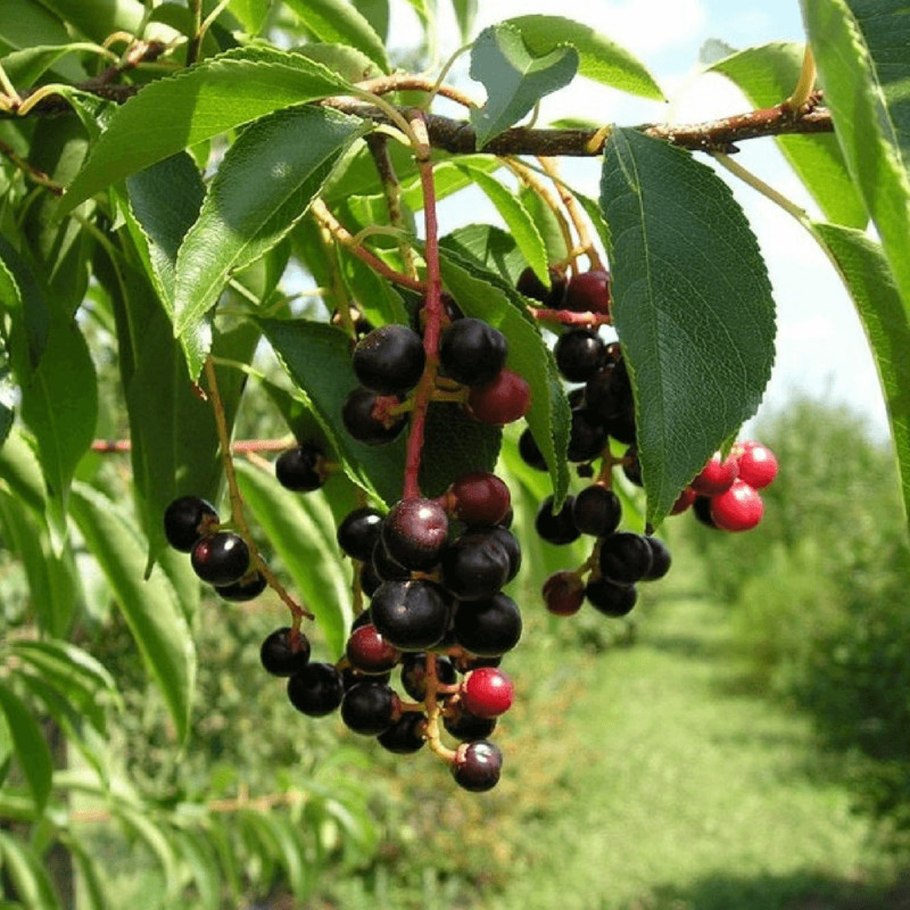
(198, 103)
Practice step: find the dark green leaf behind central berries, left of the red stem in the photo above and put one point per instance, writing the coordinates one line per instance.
(317, 358)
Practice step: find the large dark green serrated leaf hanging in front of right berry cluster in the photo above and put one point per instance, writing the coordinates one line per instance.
(692, 307)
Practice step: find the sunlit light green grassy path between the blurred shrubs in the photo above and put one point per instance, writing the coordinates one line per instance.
(665, 785)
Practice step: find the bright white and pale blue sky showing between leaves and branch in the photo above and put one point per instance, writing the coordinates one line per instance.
(821, 346)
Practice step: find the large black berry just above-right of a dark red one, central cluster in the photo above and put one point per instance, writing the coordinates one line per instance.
(411, 615)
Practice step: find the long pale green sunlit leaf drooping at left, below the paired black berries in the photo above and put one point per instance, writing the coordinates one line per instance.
(151, 608)
